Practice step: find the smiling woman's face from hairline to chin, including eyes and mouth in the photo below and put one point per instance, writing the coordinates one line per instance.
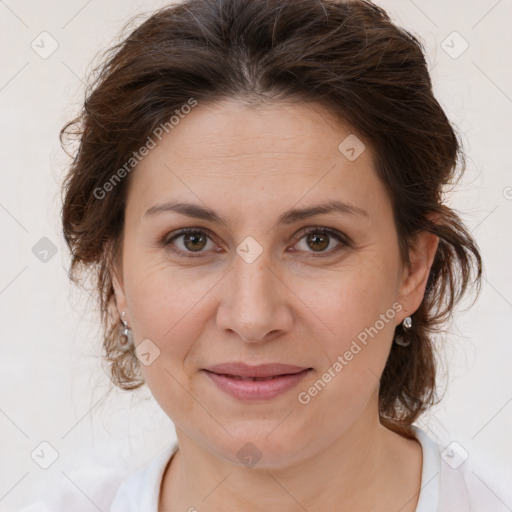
(250, 285)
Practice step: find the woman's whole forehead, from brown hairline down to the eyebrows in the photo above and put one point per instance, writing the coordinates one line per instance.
(234, 153)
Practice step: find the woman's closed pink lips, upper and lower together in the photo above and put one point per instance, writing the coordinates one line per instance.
(260, 382)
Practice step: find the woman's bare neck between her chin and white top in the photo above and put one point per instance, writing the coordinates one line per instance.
(368, 467)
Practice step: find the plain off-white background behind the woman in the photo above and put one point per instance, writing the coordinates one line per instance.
(52, 385)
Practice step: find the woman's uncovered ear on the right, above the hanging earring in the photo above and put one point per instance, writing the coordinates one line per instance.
(415, 275)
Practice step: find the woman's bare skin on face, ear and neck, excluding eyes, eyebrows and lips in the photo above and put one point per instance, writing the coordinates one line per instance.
(250, 164)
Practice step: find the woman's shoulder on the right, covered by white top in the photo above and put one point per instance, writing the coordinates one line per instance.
(453, 479)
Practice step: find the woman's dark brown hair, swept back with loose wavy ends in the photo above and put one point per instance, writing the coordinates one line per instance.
(346, 55)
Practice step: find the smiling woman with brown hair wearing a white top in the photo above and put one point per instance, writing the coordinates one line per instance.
(259, 187)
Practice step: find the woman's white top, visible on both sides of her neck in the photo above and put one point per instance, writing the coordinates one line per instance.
(449, 483)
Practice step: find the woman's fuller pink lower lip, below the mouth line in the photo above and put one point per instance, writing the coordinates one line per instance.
(256, 389)
